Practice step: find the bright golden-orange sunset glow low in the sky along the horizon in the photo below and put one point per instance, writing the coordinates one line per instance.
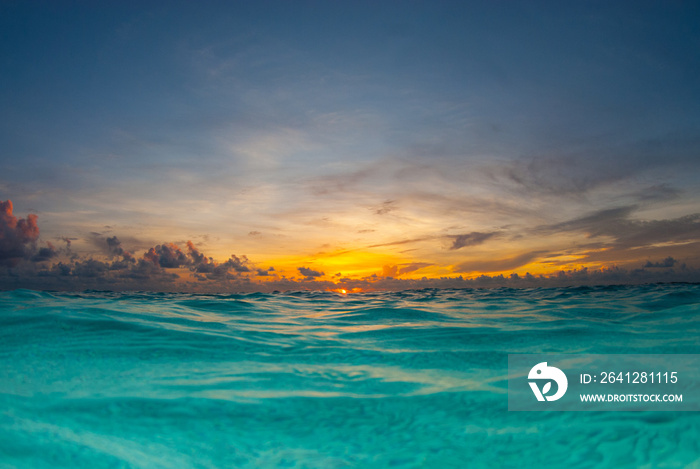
(336, 269)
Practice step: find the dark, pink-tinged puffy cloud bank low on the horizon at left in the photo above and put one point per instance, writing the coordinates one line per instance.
(155, 270)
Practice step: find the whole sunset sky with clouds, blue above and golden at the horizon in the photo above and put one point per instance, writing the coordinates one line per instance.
(277, 145)
